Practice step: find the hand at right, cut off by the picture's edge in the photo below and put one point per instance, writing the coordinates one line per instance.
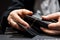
(54, 28)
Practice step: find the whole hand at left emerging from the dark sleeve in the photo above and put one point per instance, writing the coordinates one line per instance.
(16, 16)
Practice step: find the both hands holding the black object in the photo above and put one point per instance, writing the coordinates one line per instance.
(17, 15)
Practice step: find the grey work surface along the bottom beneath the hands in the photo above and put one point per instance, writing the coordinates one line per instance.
(20, 37)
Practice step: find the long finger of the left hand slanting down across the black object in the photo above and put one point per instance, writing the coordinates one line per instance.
(20, 20)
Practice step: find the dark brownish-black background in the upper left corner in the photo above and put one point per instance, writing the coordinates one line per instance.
(3, 6)
